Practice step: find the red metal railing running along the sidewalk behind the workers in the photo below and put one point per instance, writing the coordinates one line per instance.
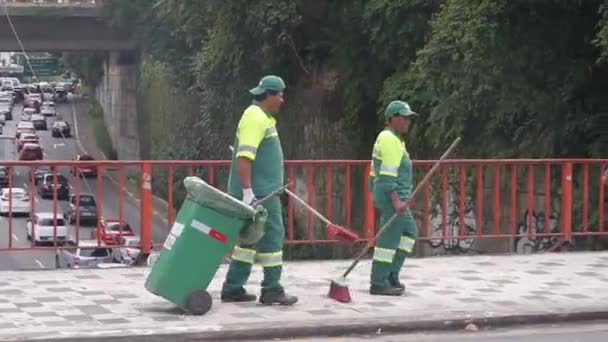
(466, 202)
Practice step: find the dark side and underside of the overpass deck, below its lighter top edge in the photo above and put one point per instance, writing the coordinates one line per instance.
(62, 34)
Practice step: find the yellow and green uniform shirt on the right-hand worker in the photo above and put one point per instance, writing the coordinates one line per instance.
(391, 167)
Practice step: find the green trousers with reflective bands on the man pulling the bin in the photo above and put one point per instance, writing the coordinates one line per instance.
(268, 251)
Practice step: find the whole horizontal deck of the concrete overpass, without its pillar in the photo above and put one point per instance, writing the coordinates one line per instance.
(59, 25)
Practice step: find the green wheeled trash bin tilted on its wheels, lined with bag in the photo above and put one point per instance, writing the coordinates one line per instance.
(207, 226)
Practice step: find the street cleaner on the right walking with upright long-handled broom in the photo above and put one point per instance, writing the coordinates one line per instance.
(391, 177)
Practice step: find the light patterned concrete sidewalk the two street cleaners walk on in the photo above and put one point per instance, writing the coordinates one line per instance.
(441, 293)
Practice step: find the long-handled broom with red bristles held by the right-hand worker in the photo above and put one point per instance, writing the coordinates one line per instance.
(338, 289)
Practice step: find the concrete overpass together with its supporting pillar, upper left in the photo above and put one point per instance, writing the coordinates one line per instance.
(73, 25)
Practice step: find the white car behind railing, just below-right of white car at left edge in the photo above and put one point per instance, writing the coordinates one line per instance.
(42, 228)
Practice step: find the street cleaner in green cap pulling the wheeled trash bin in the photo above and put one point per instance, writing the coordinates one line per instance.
(256, 171)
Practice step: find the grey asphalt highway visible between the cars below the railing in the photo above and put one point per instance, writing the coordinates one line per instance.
(13, 230)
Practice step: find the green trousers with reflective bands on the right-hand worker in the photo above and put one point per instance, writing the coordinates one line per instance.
(393, 246)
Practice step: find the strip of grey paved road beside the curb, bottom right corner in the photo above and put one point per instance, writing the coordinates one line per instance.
(592, 332)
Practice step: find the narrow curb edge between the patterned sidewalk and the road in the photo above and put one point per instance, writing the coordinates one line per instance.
(376, 327)
